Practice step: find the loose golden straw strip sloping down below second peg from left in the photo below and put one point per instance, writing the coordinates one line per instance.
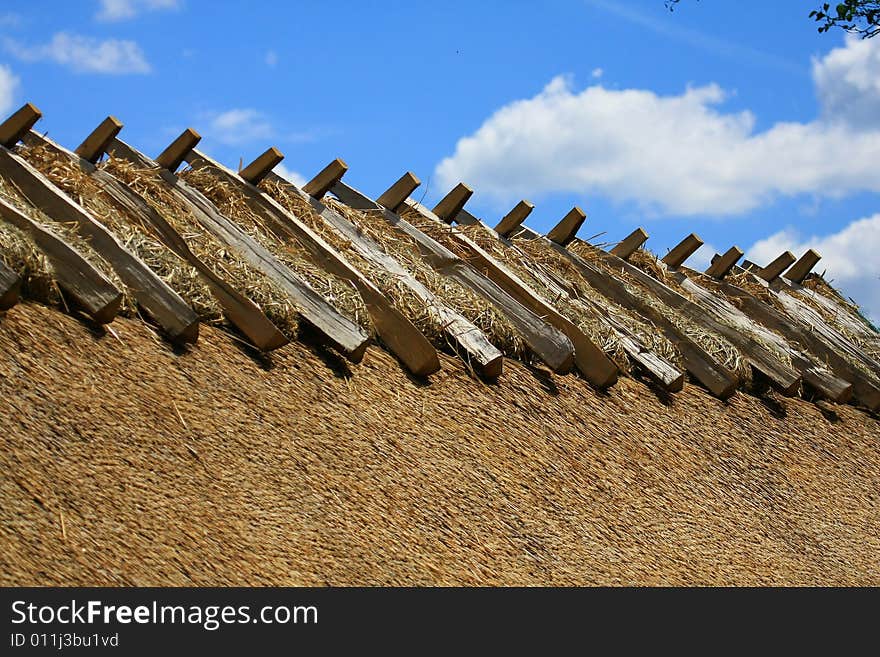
(273, 301)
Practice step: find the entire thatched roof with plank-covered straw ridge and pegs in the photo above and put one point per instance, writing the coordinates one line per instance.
(216, 377)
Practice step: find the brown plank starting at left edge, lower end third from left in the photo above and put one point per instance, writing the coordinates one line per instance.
(162, 303)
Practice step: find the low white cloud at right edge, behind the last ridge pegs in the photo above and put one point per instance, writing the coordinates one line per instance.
(849, 258)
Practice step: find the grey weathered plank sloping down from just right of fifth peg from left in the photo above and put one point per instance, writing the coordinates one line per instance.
(548, 343)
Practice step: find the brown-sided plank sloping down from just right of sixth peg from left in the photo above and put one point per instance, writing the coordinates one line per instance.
(593, 363)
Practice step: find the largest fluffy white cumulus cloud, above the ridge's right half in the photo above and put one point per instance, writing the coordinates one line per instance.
(678, 154)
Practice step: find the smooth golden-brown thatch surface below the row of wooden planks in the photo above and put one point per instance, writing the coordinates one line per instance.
(123, 463)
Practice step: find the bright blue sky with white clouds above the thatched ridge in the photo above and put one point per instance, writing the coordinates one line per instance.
(735, 120)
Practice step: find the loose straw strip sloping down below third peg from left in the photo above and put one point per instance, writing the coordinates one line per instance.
(232, 203)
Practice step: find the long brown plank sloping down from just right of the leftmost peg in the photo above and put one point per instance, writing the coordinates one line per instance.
(238, 309)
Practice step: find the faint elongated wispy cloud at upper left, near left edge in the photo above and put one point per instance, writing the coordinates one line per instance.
(84, 54)
